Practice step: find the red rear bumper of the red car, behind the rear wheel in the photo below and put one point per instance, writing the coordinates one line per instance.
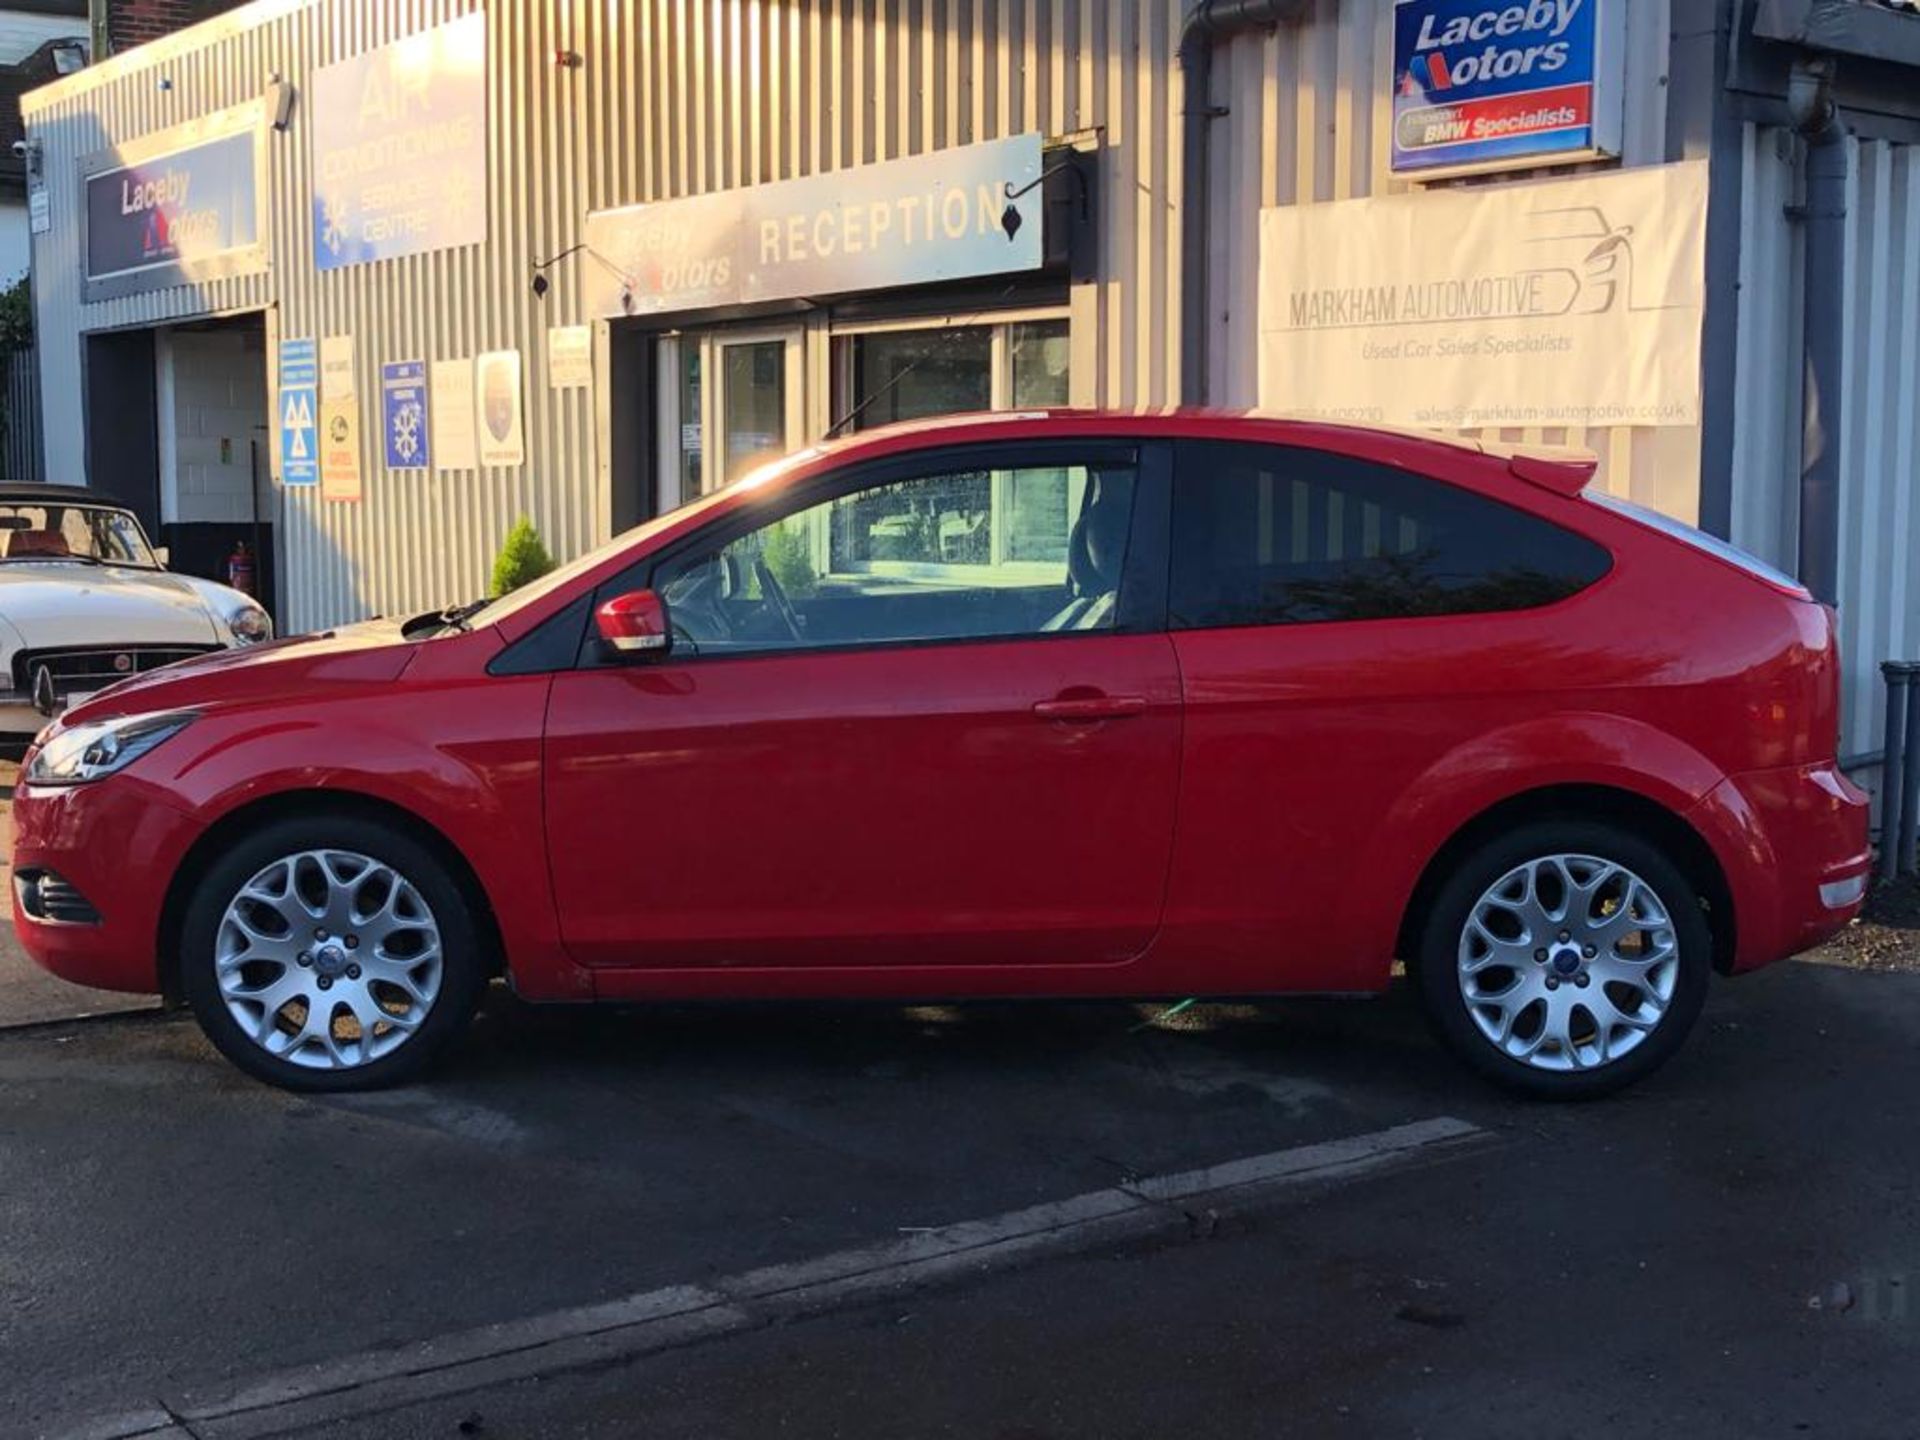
(1794, 848)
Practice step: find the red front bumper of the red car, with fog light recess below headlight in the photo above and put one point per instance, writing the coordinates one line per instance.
(118, 844)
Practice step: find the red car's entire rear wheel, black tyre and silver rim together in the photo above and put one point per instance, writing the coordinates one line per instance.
(1566, 959)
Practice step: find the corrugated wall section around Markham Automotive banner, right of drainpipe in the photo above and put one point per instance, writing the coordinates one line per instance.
(1308, 120)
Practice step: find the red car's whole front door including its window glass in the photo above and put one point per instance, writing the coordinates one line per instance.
(919, 715)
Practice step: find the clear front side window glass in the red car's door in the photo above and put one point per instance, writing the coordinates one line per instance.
(965, 554)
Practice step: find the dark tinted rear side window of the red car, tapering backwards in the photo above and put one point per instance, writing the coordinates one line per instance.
(1274, 535)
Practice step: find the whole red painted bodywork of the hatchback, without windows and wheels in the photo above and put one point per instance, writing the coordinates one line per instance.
(1207, 811)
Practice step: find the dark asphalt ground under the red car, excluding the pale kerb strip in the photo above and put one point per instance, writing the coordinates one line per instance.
(1725, 1251)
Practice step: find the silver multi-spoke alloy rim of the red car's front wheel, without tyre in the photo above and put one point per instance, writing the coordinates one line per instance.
(329, 959)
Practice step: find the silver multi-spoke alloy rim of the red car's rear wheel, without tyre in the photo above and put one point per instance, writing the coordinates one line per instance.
(1568, 963)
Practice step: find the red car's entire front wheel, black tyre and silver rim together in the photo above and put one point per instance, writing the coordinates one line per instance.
(341, 913)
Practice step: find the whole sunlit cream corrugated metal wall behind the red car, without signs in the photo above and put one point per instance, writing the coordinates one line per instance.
(679, 97)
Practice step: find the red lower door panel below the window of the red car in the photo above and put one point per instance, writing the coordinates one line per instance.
(869, 742)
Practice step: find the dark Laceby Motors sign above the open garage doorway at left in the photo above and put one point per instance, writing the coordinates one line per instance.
(178, 206)
